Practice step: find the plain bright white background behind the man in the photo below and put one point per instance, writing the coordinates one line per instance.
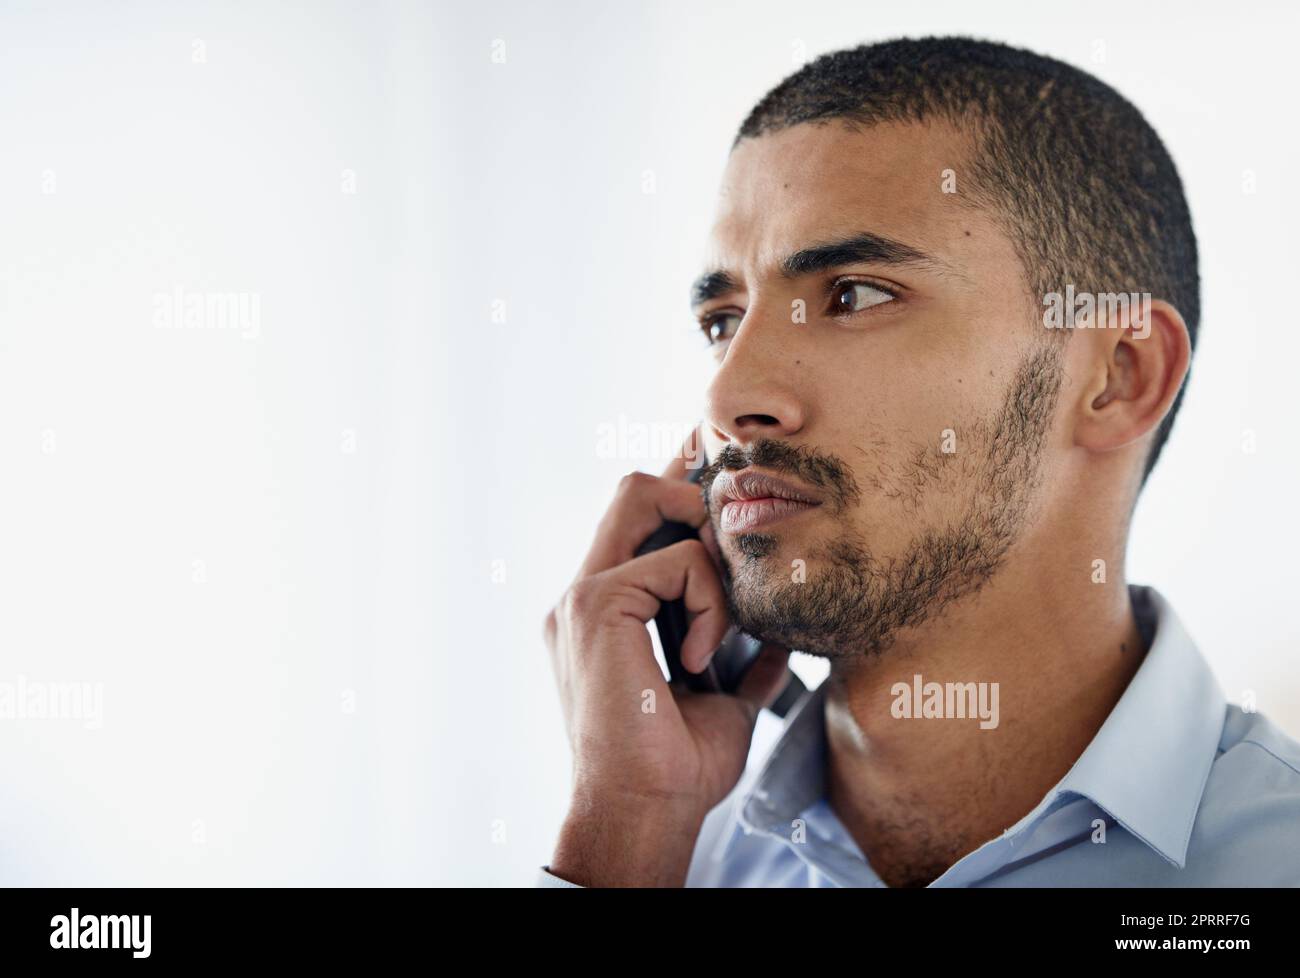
(309, 569)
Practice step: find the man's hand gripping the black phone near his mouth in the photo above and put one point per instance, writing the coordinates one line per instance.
(648, 763)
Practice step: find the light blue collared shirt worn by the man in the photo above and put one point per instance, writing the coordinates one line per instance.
(1193, 793)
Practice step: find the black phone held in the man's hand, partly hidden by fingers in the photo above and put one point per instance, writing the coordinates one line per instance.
(734, 657)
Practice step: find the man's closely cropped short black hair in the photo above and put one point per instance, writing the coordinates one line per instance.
(1077, 178)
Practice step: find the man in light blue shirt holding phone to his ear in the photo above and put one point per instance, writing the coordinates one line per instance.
(929, 426)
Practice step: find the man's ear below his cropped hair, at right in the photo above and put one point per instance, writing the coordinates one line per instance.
(1136, 373)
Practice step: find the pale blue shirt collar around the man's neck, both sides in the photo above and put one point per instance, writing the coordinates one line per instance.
(1147, 765)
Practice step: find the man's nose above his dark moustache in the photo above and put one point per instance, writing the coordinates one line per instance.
(755, 393)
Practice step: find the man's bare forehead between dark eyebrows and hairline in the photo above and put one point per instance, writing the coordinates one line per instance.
(812, 183)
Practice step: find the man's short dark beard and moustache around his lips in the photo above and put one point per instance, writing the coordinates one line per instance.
(859, 603)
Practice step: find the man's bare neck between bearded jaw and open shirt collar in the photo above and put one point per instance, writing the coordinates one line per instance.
(918, 794)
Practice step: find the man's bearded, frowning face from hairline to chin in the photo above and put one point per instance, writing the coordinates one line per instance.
(877, 353)
